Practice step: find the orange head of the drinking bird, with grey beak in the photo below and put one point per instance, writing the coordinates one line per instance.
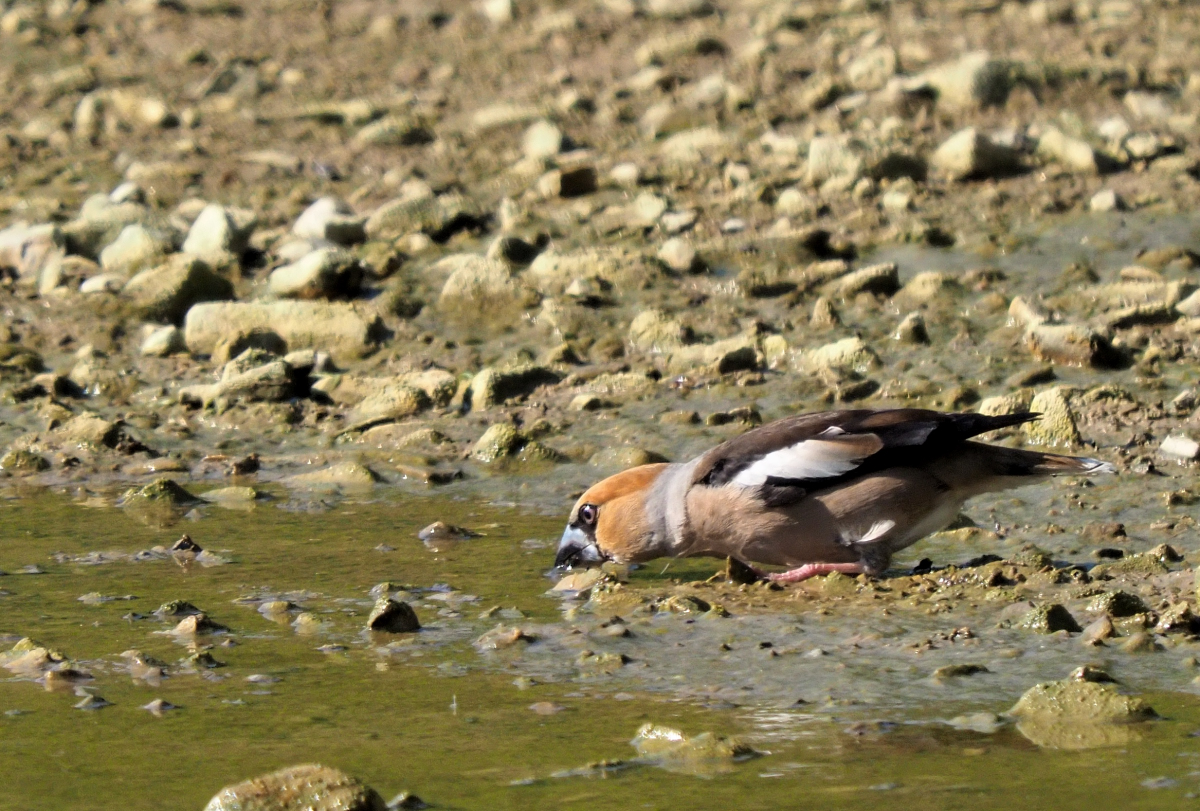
(610, 521)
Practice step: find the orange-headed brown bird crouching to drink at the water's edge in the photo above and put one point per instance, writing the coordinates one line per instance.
(817, 494)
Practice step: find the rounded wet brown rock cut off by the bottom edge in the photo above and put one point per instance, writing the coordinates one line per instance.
(310, 788)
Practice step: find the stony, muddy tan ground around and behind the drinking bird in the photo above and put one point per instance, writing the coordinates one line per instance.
(507, 248)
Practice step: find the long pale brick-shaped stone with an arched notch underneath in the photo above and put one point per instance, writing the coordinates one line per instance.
(341, 329)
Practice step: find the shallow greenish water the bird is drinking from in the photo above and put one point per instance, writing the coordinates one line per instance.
(430, 714)
